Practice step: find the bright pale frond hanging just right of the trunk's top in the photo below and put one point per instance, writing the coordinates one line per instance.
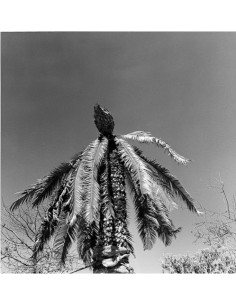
(138, 170)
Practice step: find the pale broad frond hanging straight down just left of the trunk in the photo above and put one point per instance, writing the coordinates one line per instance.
(86, 184)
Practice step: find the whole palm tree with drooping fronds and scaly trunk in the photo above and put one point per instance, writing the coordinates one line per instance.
(88, 199)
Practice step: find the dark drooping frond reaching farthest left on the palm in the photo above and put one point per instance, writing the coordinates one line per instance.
(44, 188)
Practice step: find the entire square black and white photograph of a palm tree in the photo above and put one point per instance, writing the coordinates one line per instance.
(118, 152)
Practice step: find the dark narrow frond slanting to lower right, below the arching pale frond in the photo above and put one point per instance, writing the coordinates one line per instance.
(169, 184)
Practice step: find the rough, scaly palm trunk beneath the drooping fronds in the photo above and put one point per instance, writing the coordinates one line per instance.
(112, 252)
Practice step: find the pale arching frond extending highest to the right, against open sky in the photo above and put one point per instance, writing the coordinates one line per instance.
(146, 137)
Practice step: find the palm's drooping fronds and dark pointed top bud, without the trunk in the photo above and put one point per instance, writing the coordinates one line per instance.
(74, 189)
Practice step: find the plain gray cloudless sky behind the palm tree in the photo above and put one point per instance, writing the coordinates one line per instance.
(178, 86)
